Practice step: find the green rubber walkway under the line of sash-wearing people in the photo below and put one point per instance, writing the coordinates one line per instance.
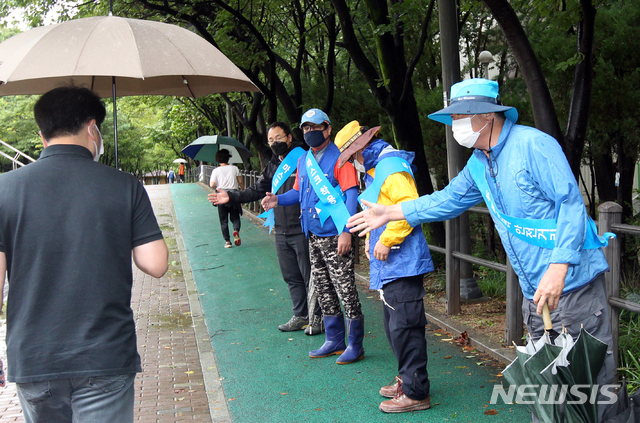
(267, 375)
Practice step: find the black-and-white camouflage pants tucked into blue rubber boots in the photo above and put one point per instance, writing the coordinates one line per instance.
(334, 277)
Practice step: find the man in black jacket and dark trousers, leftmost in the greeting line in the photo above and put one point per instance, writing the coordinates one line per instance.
(292, 246)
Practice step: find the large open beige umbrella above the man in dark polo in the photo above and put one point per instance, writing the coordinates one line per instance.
(145, 57)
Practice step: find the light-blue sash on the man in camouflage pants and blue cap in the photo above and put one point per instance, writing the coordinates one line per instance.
(331, 202)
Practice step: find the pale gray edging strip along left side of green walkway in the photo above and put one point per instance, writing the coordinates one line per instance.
(218, 407)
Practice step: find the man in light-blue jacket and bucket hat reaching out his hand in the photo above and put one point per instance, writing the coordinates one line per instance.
(523, 176)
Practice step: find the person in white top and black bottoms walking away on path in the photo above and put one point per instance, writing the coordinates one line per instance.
(227, 177)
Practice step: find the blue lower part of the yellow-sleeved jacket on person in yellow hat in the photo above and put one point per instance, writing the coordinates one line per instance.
(410, 258)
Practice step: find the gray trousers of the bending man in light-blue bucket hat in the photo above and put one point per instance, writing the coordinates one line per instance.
(585, 307)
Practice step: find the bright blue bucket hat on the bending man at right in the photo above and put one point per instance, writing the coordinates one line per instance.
(471, 97)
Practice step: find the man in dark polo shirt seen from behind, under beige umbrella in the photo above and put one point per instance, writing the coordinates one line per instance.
(68, 230)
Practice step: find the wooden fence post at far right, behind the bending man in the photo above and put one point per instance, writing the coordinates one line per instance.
(611, 213)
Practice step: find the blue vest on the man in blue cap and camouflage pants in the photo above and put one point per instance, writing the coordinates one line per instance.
(308, 215)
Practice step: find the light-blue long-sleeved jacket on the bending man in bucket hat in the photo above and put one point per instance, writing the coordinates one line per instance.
(528, 177)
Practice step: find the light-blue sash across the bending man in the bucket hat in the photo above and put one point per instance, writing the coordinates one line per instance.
(537, 232)
